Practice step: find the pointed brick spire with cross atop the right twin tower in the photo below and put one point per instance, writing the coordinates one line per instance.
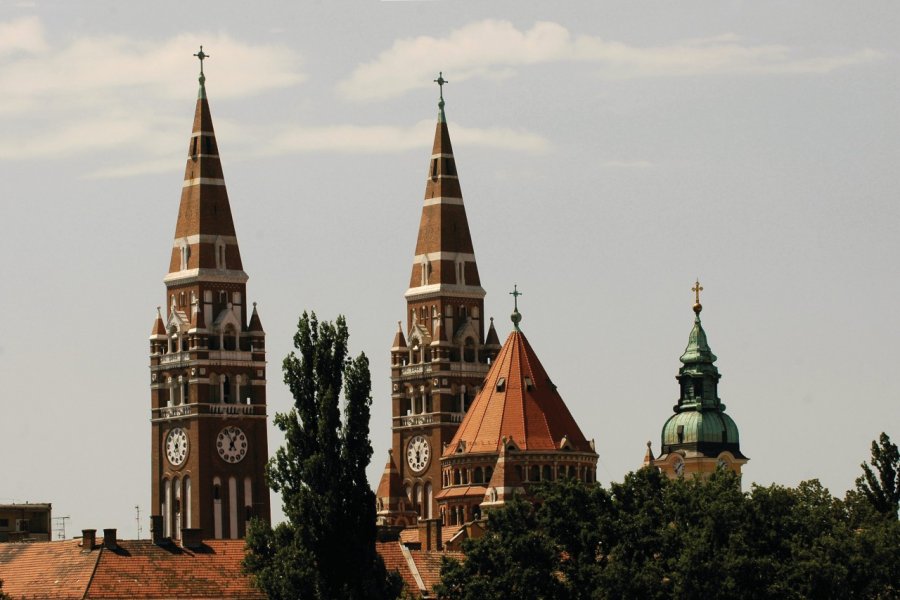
(444, 252)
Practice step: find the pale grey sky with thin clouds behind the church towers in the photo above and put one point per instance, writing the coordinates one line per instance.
(609, 153)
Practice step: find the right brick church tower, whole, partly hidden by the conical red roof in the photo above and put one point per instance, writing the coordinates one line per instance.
(439, 363)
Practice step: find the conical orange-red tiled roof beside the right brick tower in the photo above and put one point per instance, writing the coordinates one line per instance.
(518, 401)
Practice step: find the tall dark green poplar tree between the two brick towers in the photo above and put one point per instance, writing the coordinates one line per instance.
(326, 547)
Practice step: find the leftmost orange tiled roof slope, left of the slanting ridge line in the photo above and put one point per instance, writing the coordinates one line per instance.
(46, 569)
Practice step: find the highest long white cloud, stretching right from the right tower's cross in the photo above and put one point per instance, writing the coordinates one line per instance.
(493, 48)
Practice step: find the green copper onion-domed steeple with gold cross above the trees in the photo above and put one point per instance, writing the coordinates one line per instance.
(699, 436)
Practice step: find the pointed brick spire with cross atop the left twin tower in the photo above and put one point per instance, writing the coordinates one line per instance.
(204, 233)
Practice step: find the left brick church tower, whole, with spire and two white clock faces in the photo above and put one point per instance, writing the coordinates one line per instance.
(207, 364)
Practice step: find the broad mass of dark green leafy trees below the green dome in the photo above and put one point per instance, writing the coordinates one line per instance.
(651, 537)
